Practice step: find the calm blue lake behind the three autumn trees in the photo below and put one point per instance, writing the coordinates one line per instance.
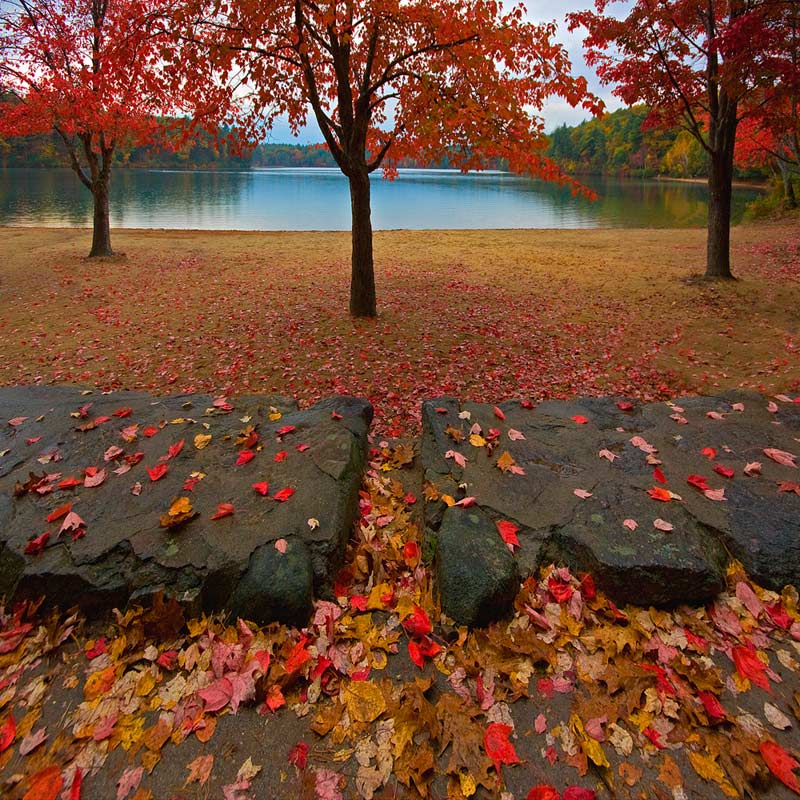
(318, 199)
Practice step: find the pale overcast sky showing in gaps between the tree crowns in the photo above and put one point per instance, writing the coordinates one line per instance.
(555, 113)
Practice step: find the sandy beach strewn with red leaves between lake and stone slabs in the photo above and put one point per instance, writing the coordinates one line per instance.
(484, 315)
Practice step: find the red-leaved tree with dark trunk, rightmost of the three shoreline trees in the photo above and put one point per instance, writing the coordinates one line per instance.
(702, 64)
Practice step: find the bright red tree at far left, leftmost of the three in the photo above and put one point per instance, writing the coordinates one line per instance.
(86, 69)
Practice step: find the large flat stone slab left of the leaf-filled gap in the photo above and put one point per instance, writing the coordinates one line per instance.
(318, 453)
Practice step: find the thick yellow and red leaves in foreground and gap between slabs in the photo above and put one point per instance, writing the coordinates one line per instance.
(379, 697)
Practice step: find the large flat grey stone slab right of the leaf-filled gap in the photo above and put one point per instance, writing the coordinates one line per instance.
(668, 552)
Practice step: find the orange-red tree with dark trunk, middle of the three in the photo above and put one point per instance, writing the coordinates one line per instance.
(384, 80)
